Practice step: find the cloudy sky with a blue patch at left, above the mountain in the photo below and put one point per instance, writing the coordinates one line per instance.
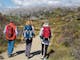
(25, 3)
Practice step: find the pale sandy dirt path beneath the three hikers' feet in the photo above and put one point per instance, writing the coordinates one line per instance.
(20, 49)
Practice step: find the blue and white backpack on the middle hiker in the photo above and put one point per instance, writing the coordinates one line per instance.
(29, 32)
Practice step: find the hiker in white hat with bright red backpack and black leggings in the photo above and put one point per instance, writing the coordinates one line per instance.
(45, 35)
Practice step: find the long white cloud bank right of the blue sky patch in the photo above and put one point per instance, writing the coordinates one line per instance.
(47, 2)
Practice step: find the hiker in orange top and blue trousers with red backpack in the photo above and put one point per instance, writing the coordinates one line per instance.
(10, 32)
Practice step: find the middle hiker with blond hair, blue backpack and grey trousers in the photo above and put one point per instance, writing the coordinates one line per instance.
(28, 37)
